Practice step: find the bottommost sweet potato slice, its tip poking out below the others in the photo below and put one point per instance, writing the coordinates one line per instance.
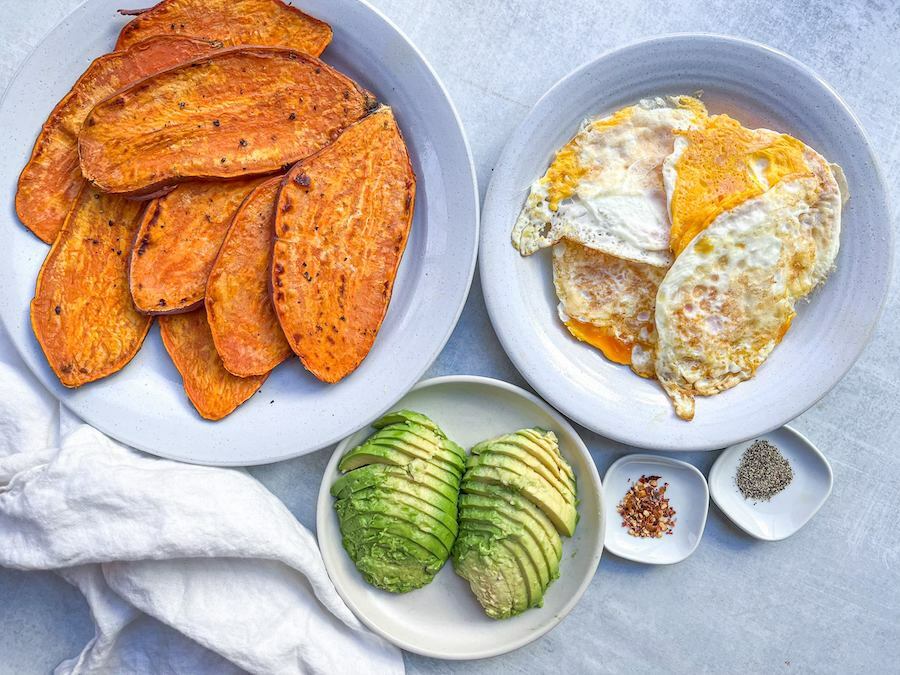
(213, 390)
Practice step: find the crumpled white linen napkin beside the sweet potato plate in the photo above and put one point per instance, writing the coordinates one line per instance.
(186, 569)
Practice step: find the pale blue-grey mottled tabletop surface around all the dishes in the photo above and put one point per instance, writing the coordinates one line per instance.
(825, 600)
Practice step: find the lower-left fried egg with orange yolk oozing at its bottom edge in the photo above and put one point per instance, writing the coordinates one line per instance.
(608, 303)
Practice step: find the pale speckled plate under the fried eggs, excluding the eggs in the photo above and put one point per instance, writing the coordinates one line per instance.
(761, 87)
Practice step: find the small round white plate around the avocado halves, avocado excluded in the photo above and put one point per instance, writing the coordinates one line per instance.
(443, 619)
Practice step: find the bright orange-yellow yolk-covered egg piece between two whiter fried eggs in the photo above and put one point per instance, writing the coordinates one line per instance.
(723, 165)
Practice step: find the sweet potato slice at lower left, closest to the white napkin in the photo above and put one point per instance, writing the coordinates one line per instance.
(82, 314)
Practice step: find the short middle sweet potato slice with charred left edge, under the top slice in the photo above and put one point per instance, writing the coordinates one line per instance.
(177, 242)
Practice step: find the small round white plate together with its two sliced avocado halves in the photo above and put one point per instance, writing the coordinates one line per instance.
(382, 501)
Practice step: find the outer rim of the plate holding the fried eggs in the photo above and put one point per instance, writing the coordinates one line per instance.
(557, 398)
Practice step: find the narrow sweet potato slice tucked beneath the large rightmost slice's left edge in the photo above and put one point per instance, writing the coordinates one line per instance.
(245, 329)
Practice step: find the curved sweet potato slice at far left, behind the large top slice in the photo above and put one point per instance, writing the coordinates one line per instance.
(50, 182)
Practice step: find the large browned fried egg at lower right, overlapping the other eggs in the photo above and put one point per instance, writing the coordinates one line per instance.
(729, 297)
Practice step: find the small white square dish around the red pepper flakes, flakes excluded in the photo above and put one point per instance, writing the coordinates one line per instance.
(688, 495)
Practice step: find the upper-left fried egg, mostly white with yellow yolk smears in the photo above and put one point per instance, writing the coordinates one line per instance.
(605, 190)
